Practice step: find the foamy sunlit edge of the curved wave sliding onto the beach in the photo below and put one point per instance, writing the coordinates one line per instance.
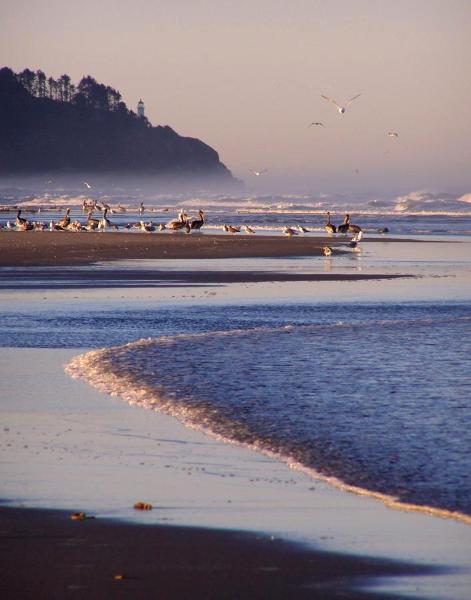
(99, 368)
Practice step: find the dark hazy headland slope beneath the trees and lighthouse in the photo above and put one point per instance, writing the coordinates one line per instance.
(43, 134)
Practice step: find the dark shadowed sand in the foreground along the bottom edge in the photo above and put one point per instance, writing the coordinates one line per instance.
(46, 555)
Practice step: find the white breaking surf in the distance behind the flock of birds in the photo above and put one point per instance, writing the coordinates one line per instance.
(422, 202)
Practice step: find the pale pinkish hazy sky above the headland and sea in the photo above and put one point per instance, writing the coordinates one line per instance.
(246, 78)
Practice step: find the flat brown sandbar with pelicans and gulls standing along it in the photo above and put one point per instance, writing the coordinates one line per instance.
(33, 248)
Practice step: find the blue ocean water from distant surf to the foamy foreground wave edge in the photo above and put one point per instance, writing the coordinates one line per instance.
(364, 385)
